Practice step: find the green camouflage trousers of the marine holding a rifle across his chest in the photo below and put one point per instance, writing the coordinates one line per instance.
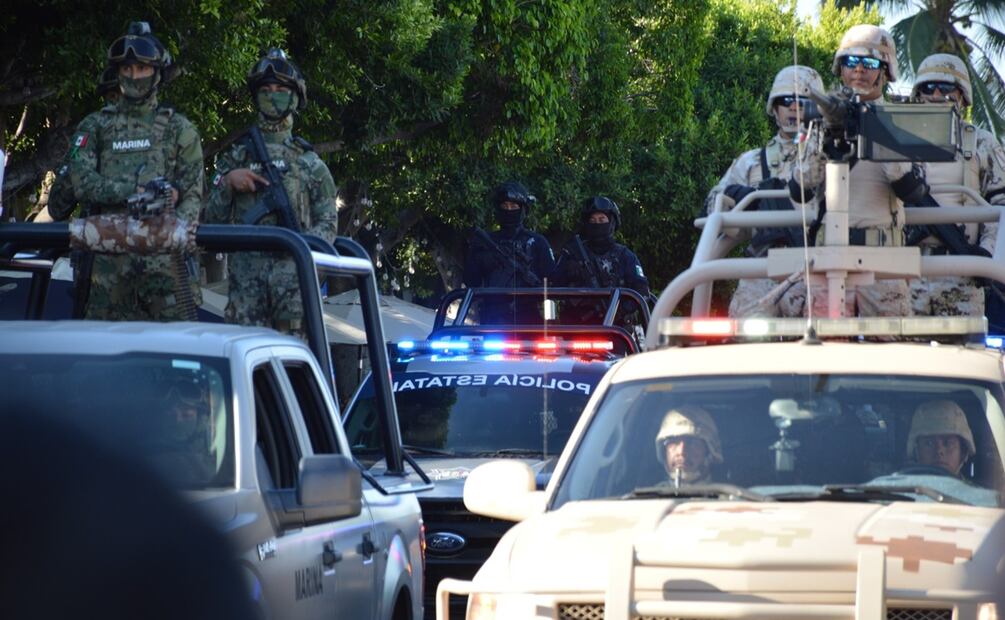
(264, 291)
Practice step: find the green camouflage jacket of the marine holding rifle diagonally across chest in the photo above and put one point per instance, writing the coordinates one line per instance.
(308, 182)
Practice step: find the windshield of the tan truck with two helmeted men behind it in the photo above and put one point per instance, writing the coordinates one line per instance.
(792, 437)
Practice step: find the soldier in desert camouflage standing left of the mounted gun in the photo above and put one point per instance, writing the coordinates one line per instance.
(768, 168)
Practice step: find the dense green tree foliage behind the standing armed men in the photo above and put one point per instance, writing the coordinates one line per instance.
(421, 107)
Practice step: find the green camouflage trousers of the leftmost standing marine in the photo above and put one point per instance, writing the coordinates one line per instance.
(125, 288)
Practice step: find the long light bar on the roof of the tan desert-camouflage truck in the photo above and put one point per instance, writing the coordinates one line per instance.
(684, 330)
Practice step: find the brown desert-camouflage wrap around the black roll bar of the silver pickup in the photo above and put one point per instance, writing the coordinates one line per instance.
(122, 235)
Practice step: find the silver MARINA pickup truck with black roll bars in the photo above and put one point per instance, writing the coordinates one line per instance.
(245, 422)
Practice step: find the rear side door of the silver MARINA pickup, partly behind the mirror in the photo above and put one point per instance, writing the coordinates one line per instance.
(359, 555)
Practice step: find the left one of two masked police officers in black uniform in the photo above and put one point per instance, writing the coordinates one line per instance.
(513, 256)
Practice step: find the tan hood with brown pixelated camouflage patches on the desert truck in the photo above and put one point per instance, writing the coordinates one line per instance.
(932, 546)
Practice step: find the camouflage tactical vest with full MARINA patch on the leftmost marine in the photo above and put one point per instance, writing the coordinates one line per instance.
(133, 149)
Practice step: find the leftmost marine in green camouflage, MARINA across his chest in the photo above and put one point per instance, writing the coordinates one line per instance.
(117, 151)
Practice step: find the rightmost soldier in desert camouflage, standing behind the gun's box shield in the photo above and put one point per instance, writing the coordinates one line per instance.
(981, 167)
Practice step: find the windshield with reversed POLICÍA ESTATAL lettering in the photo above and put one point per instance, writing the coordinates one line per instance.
(476, 415)
